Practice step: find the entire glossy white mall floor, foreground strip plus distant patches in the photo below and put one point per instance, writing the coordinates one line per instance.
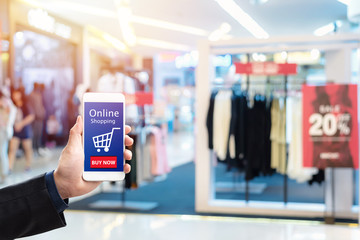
(108, 226)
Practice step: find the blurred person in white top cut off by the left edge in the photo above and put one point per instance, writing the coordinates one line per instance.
(7, 118)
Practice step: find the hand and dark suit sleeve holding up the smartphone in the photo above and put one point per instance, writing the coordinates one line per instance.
(38, 205)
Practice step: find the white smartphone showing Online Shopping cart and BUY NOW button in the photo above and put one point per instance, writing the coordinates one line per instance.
(104, 136)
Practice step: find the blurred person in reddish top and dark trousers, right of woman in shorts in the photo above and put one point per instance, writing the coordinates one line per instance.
(37, 104)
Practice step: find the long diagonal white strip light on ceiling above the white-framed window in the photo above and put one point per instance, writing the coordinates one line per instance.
(243, 18)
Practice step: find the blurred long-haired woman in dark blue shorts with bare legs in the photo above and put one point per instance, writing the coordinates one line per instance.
(22, 129)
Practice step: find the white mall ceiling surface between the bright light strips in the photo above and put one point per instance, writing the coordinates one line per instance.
(277, 17)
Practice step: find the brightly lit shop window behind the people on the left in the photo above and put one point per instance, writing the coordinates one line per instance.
(50, 62)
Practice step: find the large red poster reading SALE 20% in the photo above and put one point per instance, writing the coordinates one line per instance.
(330, 126)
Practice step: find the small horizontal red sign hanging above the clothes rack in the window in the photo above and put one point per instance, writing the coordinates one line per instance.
(266, 68)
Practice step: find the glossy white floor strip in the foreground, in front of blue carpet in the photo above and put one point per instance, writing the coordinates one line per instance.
(114, 226)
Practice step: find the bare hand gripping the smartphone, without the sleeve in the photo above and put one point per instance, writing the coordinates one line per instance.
(68, 174)
